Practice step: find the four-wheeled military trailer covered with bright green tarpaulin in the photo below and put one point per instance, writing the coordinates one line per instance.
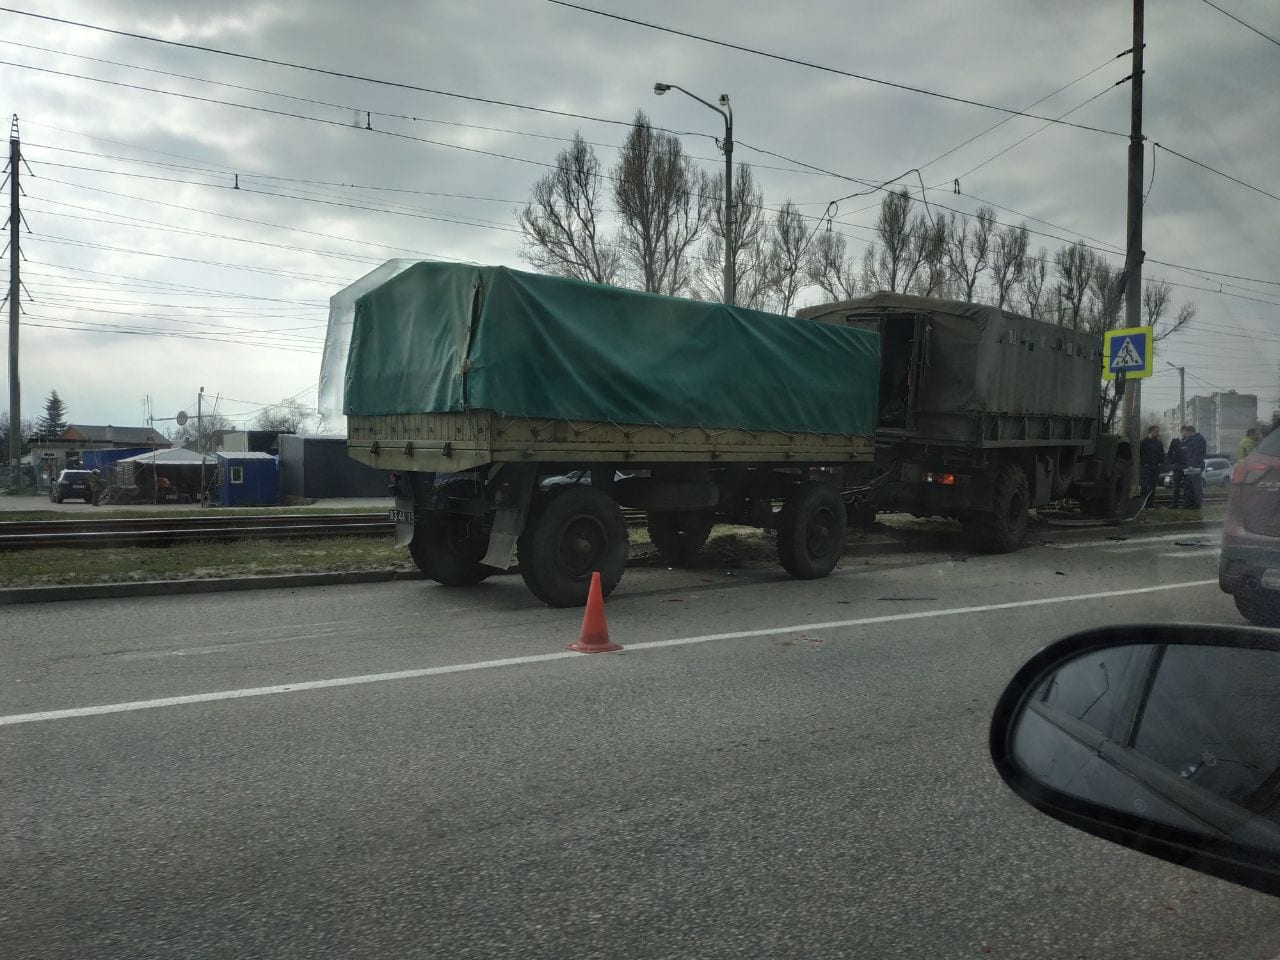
(516, 415)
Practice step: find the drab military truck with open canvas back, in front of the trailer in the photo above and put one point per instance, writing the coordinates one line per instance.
(982, 415)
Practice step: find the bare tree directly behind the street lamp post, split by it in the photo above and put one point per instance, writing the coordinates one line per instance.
(752, 282)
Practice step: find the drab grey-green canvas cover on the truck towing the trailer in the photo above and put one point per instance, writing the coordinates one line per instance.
(984, 362)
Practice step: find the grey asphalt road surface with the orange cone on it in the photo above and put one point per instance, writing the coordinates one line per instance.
(738, 783)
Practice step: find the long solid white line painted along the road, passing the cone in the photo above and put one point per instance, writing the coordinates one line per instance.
(132, 706)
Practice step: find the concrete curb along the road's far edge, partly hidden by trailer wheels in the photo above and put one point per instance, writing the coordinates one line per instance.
(159, 588)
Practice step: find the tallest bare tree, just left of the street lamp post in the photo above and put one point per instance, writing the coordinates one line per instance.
(662, 204)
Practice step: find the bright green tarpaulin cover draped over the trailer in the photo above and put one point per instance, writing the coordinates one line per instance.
(441, 339)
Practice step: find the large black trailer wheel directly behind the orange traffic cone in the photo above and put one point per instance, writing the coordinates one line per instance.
(575, 532)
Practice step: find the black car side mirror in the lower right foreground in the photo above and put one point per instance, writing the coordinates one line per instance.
(1163, 739)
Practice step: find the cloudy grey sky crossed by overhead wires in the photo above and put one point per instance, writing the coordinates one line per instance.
(152, 275)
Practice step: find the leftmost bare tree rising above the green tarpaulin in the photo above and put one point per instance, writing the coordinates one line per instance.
(563, 222)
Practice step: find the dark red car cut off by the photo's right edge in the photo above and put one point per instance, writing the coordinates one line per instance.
(1250, 566)
